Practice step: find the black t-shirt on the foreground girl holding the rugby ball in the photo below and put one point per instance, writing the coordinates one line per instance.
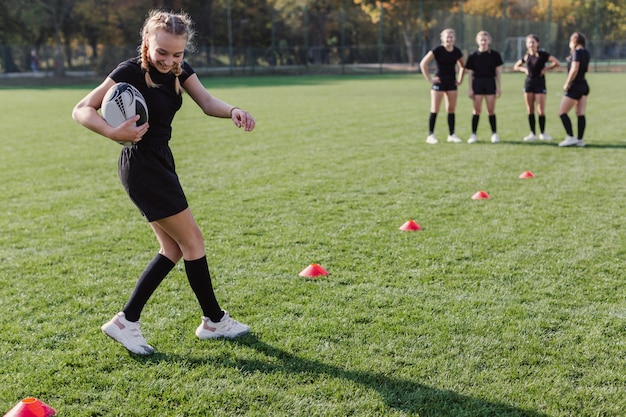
(163, 102)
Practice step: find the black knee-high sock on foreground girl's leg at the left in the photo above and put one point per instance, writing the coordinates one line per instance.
(148, 282)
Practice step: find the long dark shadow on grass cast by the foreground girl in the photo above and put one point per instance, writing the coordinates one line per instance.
(400, 394)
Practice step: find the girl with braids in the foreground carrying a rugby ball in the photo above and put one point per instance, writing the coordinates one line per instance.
(147, 172)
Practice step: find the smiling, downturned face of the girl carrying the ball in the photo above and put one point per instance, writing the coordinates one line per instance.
(165, 50)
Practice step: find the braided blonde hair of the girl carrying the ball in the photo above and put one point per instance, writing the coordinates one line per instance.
(179, 24)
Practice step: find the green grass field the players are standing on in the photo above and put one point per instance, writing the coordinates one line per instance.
(513, 306)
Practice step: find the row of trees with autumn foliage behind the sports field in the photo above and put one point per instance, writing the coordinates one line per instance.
(274, 24)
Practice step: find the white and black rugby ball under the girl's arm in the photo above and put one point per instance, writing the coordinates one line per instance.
(121, 102)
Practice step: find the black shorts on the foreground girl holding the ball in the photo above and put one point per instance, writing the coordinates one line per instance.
(148, 175)
